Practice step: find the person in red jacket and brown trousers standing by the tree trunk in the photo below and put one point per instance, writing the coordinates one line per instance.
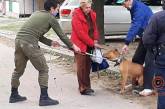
(85, 36)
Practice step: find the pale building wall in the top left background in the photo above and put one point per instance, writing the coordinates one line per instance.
(16, 8)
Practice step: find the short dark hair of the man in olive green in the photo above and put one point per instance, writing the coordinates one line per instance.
(50, 3)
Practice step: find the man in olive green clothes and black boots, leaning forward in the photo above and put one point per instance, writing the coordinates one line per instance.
(27, 48)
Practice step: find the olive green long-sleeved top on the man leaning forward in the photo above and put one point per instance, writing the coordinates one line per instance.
(37, 25)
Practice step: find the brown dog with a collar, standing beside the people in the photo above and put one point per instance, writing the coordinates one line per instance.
(127, 68)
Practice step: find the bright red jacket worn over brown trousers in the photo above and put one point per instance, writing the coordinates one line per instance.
(80, 29)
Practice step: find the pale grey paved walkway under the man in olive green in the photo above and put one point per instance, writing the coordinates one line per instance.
(64, 88)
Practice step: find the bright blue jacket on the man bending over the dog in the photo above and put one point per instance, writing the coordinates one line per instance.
(140, 15)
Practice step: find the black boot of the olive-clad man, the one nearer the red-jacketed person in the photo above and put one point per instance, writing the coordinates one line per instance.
(45, 100)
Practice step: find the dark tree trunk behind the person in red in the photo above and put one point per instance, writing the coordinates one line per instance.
(98, 6)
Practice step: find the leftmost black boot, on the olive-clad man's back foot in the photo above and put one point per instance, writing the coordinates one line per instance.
(15, 97)
